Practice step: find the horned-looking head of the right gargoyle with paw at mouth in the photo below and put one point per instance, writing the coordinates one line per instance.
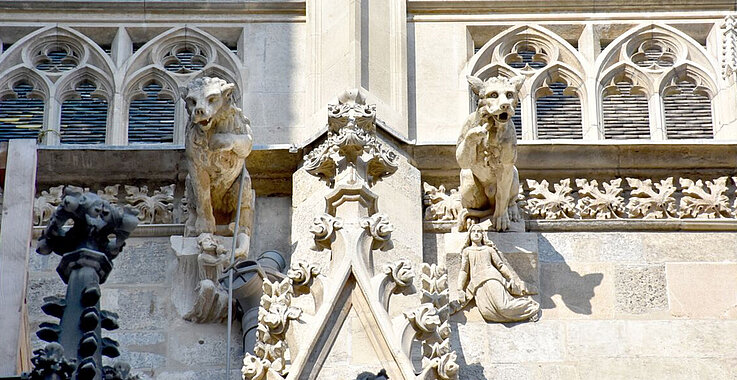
(497, 96)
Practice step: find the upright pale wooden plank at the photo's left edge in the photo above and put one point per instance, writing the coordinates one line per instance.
(15, 240)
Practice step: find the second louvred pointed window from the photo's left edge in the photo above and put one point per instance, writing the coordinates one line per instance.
(84, 116)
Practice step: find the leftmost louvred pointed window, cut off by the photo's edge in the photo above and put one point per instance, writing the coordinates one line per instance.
(21, 112)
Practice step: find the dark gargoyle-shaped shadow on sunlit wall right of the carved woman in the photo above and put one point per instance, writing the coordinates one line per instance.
(557, 278)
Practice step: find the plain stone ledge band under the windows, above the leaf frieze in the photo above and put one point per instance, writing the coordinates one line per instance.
(272, 166)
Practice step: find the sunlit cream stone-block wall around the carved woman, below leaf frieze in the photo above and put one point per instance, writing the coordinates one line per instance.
(615, 305)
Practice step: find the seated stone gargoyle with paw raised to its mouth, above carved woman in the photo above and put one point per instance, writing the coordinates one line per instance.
(487, 151)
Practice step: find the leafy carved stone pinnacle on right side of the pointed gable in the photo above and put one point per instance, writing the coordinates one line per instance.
(430, 322)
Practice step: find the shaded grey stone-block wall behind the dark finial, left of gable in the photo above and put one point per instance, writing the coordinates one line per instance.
(147, 290)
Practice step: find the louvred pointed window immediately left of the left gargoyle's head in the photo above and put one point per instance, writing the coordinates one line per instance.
(151, 115)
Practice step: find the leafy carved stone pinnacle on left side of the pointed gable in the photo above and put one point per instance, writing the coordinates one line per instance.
(274, 316)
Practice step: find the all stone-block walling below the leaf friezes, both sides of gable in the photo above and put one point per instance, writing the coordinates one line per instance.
(615, 305)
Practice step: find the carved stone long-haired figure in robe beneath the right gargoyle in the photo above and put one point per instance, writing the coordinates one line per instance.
(485, 276)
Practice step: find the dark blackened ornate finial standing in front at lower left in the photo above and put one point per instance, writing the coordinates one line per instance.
(87, 248)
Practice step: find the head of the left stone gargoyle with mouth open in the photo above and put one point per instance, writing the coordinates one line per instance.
(205, 97)
